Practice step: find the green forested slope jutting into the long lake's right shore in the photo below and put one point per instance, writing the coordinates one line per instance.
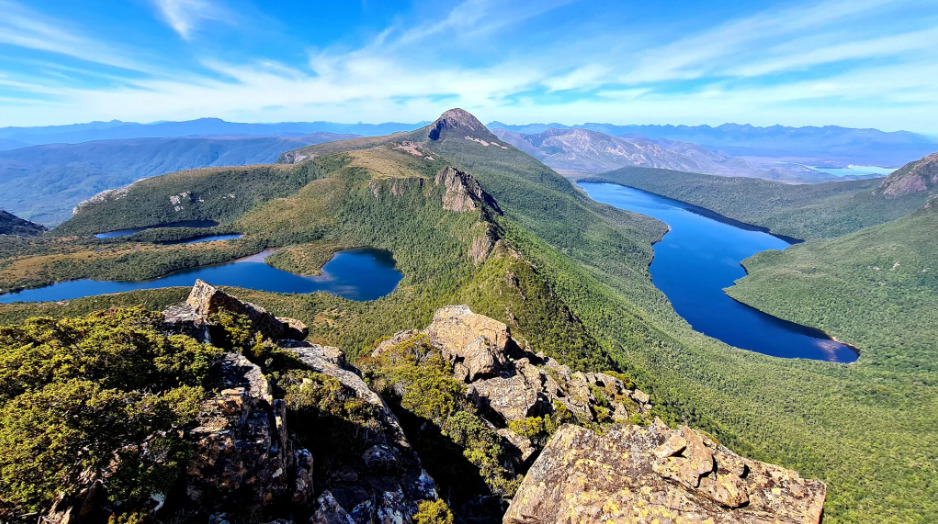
(877, 288)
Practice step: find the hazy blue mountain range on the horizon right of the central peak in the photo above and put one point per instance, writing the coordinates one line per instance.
(831, 145)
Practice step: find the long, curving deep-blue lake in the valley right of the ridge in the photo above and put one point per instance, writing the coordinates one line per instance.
(698, 258)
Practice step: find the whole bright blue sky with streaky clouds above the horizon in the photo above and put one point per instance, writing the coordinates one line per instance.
(857, 63)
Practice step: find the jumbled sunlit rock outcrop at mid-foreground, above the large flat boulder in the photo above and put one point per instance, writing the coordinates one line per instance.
(510, 383)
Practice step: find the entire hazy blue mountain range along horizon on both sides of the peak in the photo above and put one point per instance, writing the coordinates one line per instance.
(831, 146)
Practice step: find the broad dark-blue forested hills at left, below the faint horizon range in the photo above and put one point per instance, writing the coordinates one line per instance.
(44, 183)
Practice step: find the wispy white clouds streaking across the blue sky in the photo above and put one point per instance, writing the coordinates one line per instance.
(808, 63)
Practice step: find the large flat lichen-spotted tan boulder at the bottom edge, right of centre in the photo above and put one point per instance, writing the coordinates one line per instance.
(655, 474)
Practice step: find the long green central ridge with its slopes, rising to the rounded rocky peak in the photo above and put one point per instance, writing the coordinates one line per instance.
(568, 274)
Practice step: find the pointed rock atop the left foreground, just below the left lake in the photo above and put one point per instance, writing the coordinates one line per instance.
(206, 300)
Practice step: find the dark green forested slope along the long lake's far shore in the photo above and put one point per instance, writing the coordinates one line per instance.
(797, 210)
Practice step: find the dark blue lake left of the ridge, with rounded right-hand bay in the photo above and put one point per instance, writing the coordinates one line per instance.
(357, 274)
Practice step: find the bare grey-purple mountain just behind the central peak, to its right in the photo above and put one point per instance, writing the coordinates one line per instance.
(574, 151)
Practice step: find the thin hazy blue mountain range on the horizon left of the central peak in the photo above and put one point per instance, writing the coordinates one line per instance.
(77, 133)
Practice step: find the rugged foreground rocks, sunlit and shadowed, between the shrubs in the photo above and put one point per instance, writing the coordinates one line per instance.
(606, 461)
